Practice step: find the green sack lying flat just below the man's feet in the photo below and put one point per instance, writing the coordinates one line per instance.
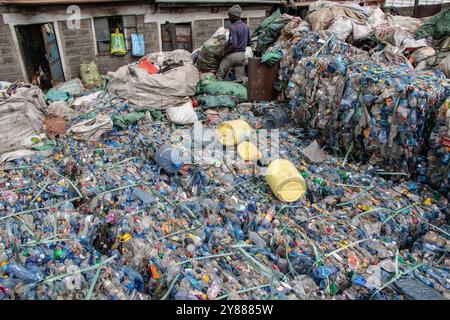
(214, 87)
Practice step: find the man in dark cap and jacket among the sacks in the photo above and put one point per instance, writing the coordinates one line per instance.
(235, 52)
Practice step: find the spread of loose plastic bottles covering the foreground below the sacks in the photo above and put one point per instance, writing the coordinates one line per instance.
(105, 221)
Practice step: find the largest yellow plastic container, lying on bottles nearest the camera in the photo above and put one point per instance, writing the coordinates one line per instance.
(285, 181)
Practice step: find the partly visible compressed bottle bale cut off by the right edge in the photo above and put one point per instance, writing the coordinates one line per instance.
(437, 172)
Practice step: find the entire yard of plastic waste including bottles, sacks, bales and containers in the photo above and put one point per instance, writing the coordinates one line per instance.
(151, 182)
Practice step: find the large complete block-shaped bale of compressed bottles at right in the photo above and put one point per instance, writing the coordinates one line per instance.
(382, 114)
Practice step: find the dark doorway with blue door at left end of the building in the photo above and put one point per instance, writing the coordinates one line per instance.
(40, 54)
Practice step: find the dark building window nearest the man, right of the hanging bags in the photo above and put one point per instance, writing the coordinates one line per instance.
(176, 36)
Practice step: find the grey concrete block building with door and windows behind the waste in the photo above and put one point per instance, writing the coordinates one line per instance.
(60, 35)
